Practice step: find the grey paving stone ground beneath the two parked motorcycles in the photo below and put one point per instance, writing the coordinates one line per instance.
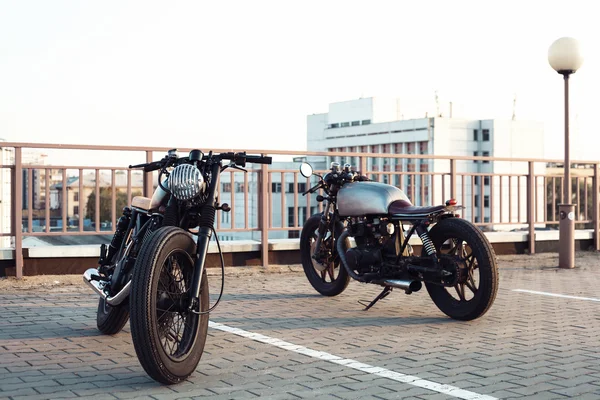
(528, 346)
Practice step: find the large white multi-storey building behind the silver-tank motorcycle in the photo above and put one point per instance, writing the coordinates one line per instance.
(370, 125)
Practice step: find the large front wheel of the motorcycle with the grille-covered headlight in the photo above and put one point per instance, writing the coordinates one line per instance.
(168, 337)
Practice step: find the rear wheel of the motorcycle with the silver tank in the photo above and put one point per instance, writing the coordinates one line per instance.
(461, 246)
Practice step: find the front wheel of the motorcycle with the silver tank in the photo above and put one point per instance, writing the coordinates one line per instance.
(325, 273)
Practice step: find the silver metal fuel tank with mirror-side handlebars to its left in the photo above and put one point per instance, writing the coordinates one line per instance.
(367, 198)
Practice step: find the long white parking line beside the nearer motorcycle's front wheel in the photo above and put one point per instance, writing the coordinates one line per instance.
(370, 369)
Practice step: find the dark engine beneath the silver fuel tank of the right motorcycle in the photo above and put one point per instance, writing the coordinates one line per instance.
(373, 237)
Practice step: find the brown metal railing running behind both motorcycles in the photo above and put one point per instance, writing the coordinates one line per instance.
(499, 193)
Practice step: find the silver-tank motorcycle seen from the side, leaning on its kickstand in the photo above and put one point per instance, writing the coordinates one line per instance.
(457, 262)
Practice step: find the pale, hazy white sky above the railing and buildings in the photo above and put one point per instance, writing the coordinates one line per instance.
(245, 74)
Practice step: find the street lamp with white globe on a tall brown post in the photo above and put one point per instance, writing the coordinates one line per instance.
(564, 55)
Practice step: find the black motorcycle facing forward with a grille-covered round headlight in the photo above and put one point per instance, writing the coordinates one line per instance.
(153, 272)
